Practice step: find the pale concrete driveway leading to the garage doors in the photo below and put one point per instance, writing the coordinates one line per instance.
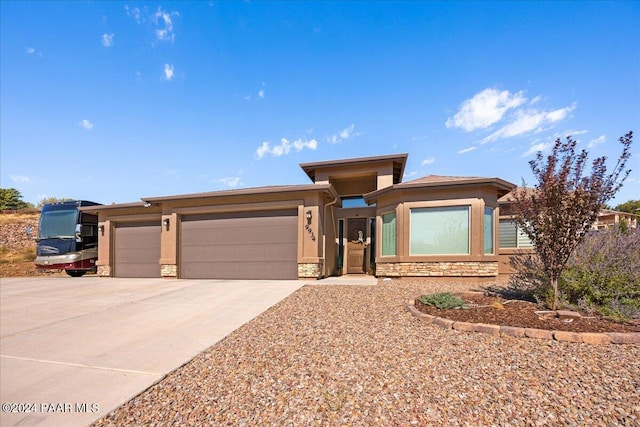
(73, 349)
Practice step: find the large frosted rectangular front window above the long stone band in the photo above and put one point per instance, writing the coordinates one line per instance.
(440, 231)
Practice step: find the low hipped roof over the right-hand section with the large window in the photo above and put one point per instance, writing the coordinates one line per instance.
(439, 181)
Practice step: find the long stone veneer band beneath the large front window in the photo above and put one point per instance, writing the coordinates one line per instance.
(437, 269)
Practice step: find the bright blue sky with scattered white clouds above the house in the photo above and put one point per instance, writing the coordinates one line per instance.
(116, 101)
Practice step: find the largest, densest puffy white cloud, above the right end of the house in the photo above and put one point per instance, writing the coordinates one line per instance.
(484, 109)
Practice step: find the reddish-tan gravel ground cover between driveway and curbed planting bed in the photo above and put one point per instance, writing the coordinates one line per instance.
(353, 355)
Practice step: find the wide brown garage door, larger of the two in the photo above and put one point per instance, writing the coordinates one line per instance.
(248, 245)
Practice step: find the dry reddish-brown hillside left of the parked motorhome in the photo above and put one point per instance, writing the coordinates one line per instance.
(17, 250)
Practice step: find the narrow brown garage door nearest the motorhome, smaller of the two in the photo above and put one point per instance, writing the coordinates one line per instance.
(137, 249)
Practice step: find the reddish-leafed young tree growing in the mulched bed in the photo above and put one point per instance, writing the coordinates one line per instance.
(565, 203)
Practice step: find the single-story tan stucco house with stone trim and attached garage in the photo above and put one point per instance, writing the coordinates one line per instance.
(356, 216)
